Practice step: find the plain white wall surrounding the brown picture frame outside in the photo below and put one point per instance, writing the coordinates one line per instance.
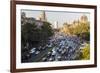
(5, 36)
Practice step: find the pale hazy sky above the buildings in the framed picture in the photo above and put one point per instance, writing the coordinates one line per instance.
(59, 16)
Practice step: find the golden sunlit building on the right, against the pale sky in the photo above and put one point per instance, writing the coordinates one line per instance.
(81, 22)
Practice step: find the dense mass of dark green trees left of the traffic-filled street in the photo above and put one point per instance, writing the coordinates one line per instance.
(31, 36)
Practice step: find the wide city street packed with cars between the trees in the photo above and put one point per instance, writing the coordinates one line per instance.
(58, 48)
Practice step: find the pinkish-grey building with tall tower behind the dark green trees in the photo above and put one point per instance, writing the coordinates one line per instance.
(38, 22)
